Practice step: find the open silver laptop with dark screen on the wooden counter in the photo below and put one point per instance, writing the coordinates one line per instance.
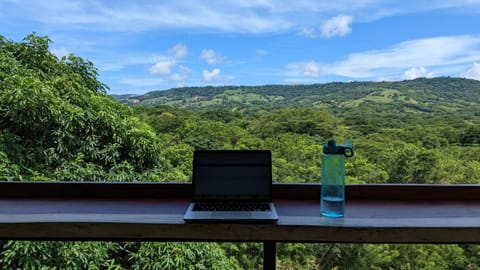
(232, 185)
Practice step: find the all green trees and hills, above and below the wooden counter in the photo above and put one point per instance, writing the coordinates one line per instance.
(57, 123)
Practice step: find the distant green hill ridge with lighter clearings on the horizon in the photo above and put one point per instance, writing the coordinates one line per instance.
(435, 95)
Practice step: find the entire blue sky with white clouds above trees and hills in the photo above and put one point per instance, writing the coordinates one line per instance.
(141, 46)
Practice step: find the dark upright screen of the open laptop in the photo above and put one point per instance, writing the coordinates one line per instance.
(232, 175)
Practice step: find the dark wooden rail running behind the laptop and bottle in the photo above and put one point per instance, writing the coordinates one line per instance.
(279, 190)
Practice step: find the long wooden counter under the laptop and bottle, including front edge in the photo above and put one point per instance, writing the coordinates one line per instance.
(375, 221)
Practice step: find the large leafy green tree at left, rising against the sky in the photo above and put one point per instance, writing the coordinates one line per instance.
(56, 112)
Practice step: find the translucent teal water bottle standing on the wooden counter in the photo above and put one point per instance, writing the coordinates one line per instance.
(332, 194)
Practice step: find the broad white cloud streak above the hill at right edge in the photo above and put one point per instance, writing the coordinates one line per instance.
(432, 52)
